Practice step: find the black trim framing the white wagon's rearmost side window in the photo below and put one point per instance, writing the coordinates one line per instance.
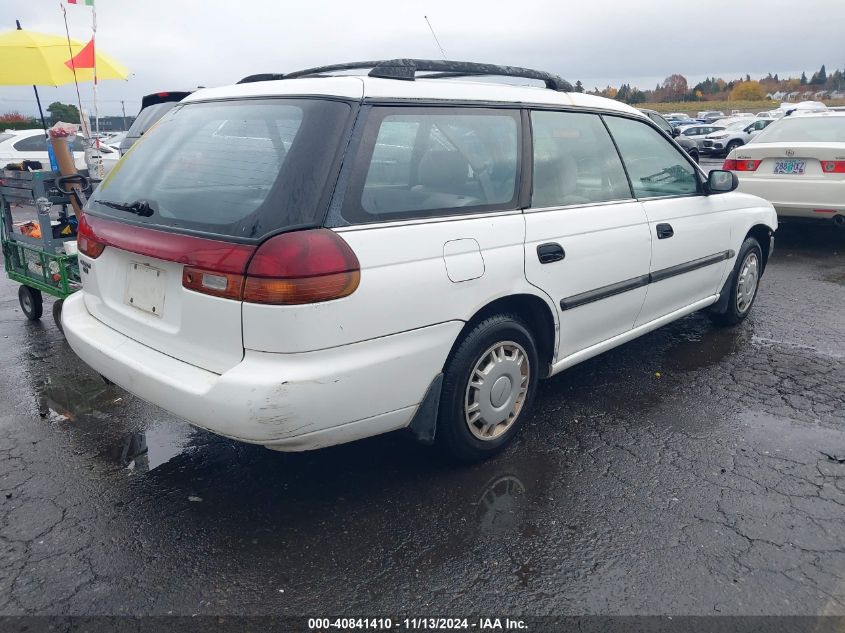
(347, 209)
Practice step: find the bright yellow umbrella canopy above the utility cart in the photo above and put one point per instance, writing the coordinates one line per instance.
(30, 58)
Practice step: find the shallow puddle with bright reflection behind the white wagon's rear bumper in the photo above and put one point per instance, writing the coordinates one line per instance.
(98, 419)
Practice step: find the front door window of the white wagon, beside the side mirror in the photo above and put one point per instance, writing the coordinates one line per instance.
(655, 166)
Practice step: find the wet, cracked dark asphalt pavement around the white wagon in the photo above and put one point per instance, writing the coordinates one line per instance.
(693, 471)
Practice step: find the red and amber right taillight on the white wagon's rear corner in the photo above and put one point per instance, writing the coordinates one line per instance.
(302, 267)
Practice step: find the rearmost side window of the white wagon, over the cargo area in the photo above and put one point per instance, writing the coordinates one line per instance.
(422, 162)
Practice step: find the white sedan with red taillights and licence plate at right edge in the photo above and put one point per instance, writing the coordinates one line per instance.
(797, 164)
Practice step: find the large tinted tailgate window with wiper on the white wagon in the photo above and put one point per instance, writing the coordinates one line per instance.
(238, 169)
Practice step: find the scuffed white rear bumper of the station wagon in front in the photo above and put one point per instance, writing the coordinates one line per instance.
(284, 401)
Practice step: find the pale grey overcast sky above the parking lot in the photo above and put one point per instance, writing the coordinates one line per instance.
(181, 44)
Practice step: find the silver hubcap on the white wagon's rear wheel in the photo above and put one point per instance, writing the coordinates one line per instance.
(496, 390)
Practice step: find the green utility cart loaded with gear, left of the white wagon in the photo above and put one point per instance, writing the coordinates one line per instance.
(38, 250)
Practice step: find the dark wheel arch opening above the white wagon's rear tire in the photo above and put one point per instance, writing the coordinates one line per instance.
(533, 311)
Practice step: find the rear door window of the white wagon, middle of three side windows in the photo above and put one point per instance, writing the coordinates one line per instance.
(575, 161)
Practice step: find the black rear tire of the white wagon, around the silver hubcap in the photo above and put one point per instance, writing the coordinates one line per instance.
(453, 435)
